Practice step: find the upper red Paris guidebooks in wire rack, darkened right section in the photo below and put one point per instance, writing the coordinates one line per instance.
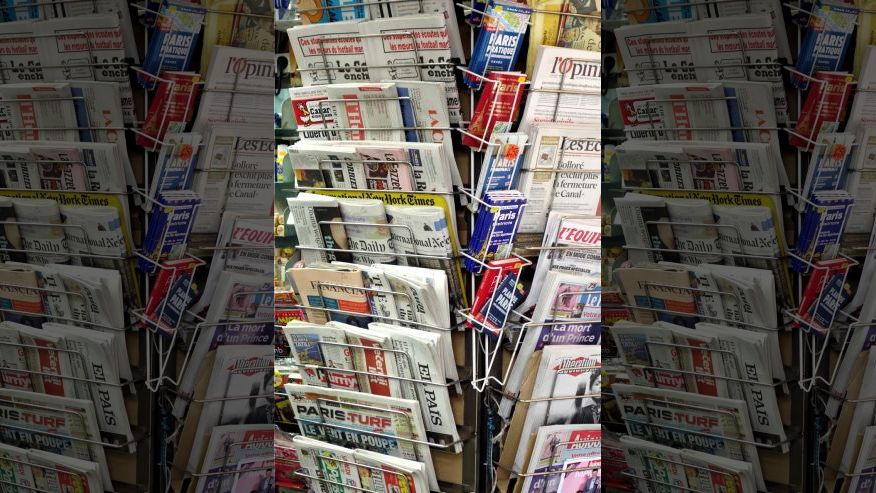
(825, 103)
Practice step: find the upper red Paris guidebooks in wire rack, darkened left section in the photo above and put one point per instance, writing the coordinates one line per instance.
(173, 101)
